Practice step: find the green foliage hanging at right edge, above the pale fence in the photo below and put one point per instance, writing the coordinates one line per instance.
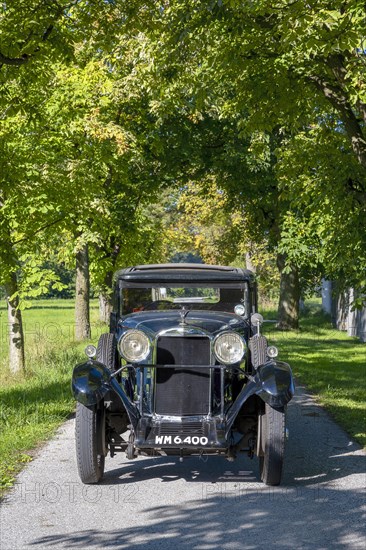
(325, 229)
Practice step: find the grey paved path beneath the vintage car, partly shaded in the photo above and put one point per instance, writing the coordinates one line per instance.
(200, 503)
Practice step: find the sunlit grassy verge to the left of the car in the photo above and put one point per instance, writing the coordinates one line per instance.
(36, 402)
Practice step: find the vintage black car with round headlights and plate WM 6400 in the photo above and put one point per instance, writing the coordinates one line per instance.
(183, 371)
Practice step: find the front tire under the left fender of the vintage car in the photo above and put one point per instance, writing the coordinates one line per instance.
(90, 442)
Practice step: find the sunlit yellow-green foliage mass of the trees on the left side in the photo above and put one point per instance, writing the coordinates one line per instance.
(81, 163)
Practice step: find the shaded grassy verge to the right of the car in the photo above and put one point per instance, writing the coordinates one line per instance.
(330, 363)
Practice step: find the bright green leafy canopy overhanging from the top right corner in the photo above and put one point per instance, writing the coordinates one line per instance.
(282, 59)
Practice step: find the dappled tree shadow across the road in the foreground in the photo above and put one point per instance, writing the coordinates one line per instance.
(252, 520)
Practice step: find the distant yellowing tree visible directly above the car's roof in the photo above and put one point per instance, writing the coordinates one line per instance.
(201, 222)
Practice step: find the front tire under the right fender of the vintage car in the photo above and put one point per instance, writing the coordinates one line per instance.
(272, 443)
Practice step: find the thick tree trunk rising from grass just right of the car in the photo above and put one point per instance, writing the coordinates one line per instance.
(289, 303)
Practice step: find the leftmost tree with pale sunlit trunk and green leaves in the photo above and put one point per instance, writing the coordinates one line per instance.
(39, 166)
